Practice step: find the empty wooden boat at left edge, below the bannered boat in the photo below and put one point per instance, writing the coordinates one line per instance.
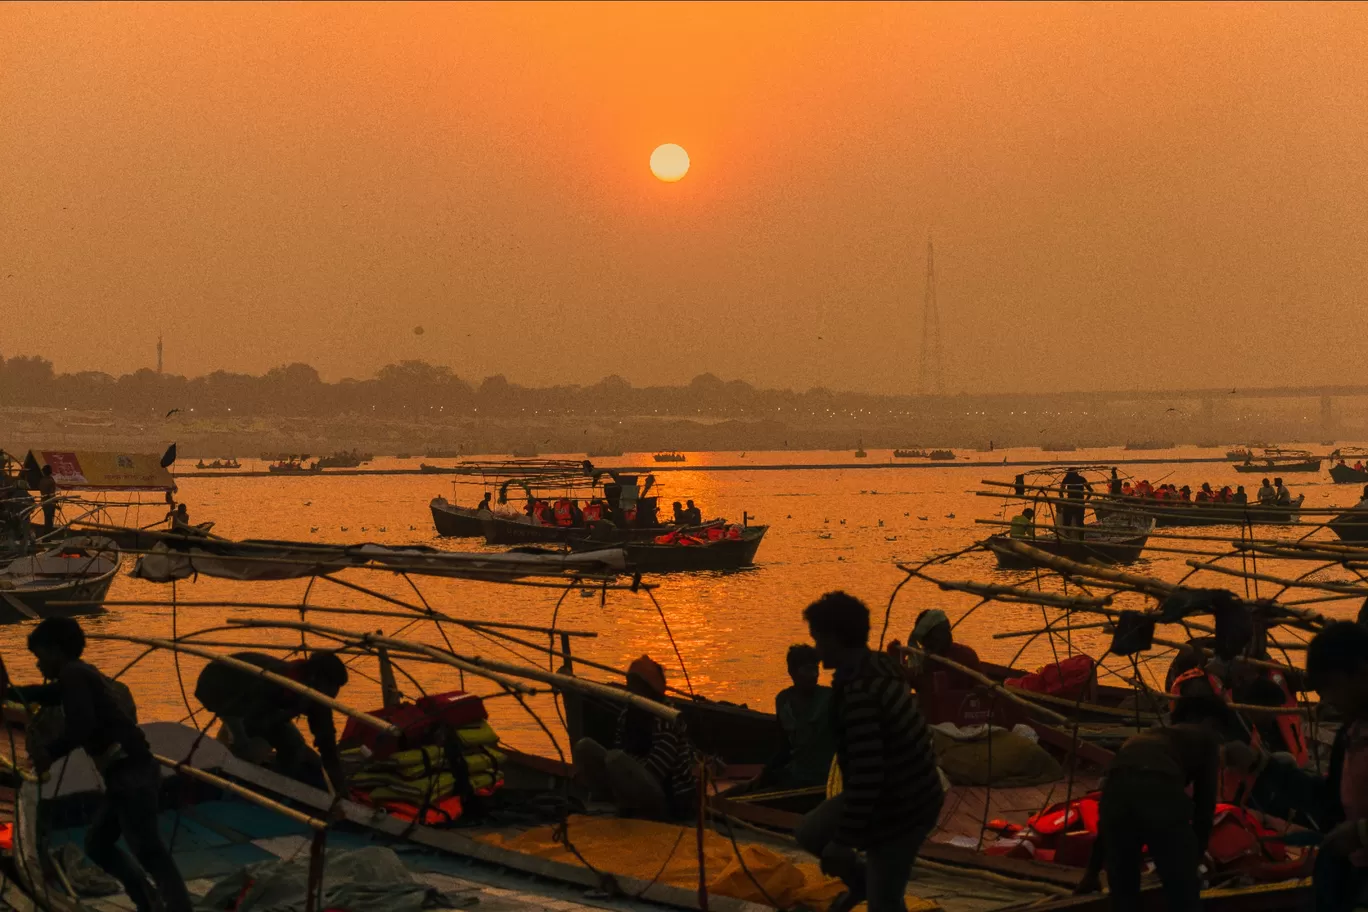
(79, 571)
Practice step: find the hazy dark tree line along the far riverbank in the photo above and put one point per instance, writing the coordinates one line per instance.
(408, 389)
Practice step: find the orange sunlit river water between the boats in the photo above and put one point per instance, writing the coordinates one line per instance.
(830, 530)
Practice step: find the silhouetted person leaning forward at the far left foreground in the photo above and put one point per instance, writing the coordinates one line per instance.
(99, 717)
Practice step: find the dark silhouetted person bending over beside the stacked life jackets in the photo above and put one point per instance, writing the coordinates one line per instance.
(254, 710)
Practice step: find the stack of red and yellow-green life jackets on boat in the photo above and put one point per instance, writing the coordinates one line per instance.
(447, 757)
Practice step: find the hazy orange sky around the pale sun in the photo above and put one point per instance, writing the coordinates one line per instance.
(1121, 196)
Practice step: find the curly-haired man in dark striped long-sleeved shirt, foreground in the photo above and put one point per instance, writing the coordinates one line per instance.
(891, 790)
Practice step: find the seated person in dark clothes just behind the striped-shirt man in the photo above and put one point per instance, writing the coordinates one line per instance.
(805, 717)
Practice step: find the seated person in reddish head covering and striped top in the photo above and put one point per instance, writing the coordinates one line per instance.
(649, 772)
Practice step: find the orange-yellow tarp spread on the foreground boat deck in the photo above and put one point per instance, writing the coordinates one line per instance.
(638, 848)
